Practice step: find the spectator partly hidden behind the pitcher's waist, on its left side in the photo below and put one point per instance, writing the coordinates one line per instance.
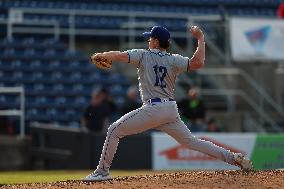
(131, 101)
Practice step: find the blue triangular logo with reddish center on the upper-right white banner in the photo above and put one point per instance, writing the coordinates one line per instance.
(258, 37)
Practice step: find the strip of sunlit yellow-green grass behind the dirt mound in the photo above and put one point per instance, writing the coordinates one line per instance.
(19, 177)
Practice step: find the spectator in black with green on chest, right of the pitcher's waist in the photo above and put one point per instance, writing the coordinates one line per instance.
(193, 111)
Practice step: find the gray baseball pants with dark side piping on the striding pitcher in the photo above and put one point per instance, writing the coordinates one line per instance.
(162, 116)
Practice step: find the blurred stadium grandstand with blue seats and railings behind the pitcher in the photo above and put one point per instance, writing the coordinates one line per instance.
(45, 46)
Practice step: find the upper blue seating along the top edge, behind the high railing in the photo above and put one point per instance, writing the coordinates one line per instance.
(195, 7)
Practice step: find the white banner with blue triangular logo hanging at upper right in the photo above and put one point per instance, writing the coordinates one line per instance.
(257, 39)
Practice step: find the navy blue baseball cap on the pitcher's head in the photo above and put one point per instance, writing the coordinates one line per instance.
(158, 32)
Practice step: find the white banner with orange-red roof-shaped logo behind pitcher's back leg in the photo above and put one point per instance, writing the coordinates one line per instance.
(169, 155)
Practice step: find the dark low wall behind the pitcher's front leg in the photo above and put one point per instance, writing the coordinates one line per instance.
(63, 148)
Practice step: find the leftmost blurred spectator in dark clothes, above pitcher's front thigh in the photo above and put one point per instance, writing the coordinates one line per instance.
(96, 115)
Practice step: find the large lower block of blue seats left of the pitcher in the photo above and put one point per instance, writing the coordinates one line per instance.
(58, 85)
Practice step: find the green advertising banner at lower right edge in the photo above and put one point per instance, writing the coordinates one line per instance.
(268, 152)
